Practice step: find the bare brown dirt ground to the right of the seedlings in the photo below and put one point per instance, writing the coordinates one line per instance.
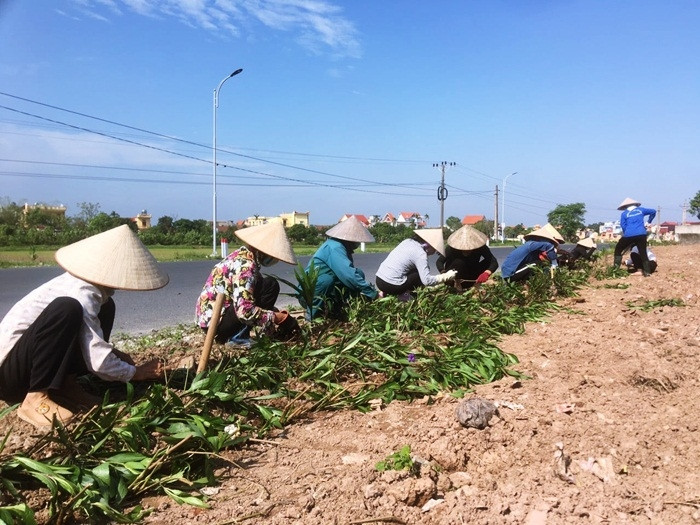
(605, 430)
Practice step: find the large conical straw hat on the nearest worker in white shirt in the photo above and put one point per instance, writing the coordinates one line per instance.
(116, 259)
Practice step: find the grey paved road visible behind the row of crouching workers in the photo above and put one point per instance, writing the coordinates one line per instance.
(141, 312)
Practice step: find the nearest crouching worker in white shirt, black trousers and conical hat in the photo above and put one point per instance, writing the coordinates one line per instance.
(61, 330)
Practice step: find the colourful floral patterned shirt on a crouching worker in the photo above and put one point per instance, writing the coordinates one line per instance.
(235, 277)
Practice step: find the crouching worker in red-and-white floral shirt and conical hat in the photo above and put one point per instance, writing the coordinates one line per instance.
(249, 298)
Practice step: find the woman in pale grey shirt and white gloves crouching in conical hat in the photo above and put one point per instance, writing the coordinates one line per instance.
(406, 267)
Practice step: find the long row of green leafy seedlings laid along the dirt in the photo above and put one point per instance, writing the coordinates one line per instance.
(168, 438)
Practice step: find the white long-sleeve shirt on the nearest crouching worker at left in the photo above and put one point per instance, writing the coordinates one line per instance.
(97, 352)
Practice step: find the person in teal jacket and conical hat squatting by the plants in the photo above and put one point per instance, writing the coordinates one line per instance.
(338, 279)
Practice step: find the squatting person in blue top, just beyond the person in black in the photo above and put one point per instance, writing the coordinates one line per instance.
(540, 246)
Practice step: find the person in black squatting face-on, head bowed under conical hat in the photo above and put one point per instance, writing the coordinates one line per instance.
(468, 254)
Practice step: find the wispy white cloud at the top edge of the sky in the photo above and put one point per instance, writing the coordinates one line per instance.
(319, 25)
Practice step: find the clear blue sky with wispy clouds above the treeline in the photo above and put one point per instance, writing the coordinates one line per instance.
(344, 107)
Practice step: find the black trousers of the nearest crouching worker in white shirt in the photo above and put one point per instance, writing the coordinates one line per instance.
(49, 350)
